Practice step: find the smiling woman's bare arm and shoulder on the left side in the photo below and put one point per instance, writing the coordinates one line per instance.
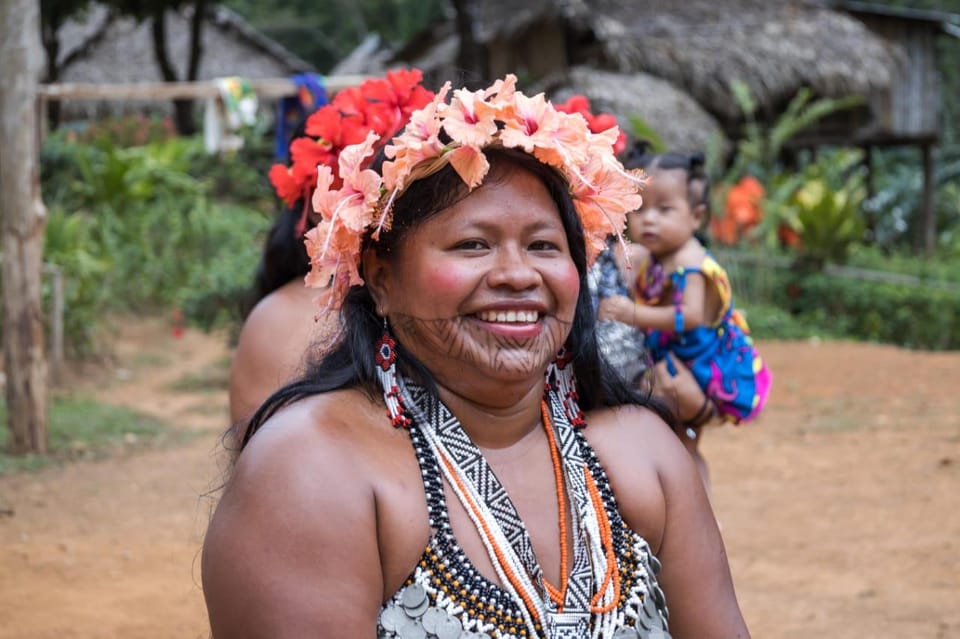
(292, 548)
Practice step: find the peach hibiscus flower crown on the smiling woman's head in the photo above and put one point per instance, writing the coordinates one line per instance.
(357, 201)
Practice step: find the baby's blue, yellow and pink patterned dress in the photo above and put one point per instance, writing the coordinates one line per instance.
(721, 356)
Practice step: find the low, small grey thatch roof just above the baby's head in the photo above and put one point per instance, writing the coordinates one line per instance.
(680, 122)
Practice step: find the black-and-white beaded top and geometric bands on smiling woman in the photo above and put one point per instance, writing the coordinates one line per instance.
(456, 590)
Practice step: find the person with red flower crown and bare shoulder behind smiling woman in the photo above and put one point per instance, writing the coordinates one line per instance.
(283, 323)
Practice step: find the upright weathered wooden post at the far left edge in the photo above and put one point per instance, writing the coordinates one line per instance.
(24, 220)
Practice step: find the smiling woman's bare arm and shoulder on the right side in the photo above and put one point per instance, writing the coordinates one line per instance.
(661, 496)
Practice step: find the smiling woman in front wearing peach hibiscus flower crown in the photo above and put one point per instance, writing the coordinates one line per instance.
(482, 504)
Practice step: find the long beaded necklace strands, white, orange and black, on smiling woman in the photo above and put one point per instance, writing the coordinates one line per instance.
(585, 601)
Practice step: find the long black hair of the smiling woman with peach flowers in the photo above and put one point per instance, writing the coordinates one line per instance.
(351, 362)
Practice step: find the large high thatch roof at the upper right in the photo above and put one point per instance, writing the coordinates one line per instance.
(775, 46)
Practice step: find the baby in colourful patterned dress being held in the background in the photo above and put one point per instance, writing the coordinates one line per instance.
(684, 300)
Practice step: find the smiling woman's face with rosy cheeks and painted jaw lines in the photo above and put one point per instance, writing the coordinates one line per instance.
(486, 290)
